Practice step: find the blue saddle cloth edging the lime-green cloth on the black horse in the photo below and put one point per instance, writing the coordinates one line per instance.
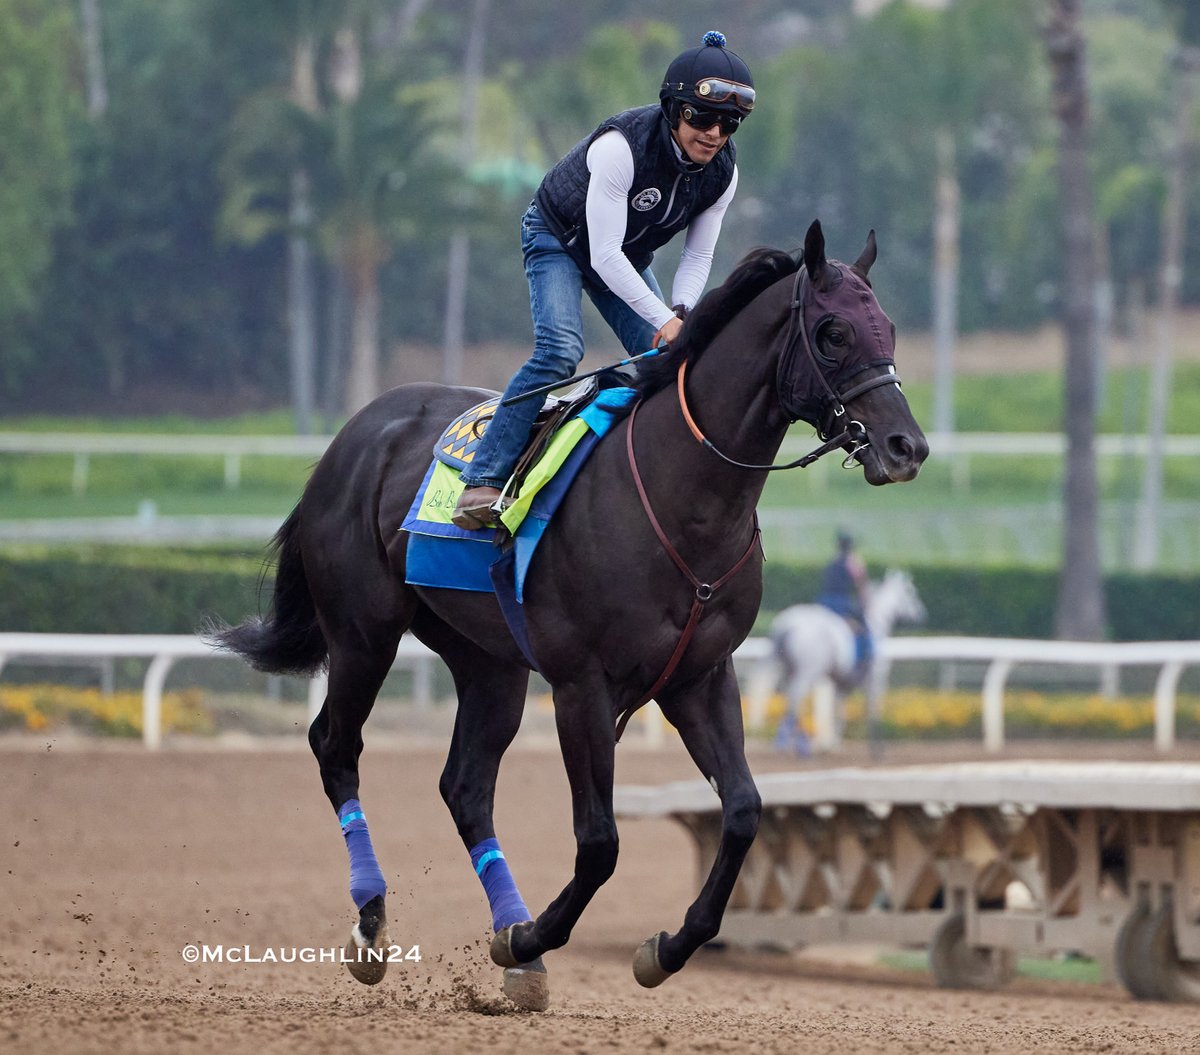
(443, 555)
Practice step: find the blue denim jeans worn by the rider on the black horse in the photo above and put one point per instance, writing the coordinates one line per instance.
(556, 301)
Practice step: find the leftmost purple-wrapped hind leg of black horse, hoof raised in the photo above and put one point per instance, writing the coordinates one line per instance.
(358, 666)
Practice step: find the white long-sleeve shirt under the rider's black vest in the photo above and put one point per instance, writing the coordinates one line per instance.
(611, 165)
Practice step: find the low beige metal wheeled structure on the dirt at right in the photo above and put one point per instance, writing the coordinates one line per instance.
(976, 861)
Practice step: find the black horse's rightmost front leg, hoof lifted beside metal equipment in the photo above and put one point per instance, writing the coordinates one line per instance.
(709, 716)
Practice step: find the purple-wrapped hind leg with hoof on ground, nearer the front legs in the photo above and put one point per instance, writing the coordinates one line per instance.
(491, 700)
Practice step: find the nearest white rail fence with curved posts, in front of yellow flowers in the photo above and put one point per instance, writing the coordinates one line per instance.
(1001, 656)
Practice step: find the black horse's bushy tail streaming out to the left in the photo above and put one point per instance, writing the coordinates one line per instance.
(289, 642)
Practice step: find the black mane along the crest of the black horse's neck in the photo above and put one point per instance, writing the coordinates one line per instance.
(758, 271)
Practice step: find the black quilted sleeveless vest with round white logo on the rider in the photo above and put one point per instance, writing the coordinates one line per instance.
(668, 190)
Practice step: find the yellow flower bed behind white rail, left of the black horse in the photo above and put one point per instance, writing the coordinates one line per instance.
(38, 709)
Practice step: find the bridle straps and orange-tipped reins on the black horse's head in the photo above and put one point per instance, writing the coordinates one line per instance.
(829, 411)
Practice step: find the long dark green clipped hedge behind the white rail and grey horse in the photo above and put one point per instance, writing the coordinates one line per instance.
(106, 590)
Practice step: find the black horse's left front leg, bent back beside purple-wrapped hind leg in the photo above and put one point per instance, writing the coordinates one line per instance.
(587, 738)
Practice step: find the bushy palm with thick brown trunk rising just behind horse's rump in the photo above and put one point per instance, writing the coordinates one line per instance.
(374, 177)
